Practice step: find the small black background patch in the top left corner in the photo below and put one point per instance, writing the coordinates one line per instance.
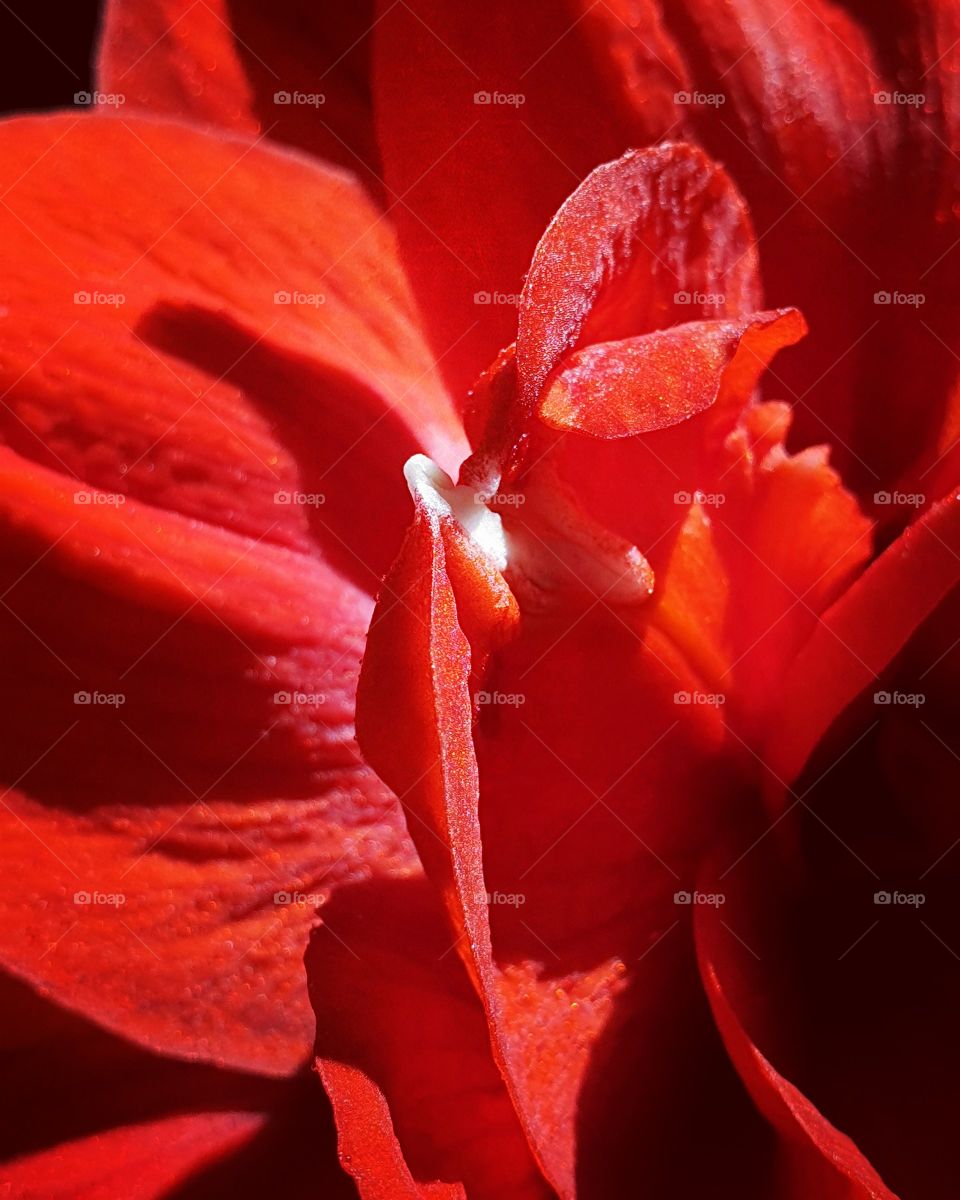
(45, 52)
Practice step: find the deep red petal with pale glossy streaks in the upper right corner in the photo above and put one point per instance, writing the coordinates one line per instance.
(849, 188)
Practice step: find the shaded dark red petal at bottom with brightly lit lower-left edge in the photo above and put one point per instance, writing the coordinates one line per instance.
(405, 1053)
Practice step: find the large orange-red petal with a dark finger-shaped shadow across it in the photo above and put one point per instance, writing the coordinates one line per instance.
(199, 385)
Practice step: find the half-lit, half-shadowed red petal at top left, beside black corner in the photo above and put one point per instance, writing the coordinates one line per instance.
(225, 64)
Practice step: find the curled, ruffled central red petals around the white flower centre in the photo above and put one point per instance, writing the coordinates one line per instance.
(512, 609)
